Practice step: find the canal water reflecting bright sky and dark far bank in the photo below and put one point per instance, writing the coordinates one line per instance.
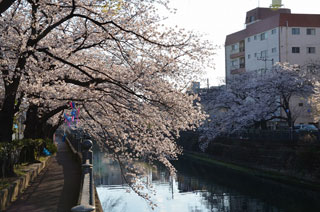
(200, 188)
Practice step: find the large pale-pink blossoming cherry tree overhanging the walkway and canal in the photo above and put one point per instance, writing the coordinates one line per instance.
(126, 71)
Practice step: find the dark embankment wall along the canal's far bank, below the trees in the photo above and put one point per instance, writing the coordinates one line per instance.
(299, 160)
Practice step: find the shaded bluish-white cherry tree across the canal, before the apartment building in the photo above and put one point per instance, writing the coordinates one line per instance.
(252, 98)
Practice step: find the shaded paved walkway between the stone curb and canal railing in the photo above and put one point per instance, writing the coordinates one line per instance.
(56, 188)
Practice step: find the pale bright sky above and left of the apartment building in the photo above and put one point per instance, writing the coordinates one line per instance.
(218, 18)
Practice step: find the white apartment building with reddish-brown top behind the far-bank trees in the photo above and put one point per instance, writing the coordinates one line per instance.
(272, 36)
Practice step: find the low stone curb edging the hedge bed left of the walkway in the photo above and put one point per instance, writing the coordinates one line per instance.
(11, 194)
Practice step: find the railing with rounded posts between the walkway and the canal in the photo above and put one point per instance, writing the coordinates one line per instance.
(86, 202)
